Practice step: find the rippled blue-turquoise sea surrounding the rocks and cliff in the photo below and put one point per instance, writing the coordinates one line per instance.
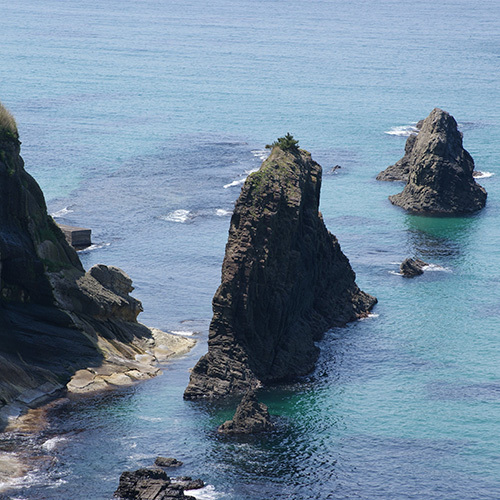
(142, 118)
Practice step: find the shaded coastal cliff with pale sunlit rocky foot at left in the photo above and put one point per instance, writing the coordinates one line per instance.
(55, 318)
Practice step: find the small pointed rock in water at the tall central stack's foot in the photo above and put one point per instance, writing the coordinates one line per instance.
(251, 417)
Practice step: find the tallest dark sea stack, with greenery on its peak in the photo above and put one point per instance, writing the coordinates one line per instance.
(285, 281)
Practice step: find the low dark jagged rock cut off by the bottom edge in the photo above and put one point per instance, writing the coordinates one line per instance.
(149, 484)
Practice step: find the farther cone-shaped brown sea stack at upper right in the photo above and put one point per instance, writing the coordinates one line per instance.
(440, 179)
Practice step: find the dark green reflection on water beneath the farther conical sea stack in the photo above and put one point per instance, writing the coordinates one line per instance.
(439, 237)
